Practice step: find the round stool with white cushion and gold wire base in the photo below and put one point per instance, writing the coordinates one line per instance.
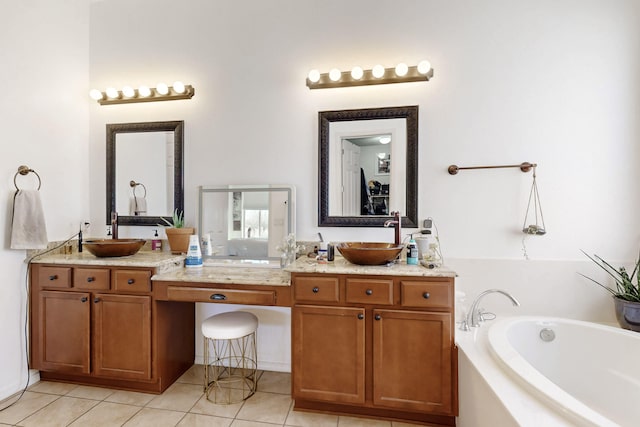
(230, 356)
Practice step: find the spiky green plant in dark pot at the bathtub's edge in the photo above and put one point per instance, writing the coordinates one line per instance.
(626, 294)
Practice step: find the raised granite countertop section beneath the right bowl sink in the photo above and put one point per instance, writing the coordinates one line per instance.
(342, 266)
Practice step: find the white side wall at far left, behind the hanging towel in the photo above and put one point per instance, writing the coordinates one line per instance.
(44, 52)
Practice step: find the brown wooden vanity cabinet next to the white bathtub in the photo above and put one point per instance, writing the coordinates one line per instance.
(375, 345)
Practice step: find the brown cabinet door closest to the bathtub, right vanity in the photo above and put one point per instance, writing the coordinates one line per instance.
(412, 354)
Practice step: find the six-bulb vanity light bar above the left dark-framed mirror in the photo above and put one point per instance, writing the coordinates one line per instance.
(161, 92)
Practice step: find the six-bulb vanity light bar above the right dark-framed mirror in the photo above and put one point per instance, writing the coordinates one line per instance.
(378, 75)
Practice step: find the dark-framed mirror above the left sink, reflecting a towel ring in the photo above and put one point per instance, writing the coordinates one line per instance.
(145, 180)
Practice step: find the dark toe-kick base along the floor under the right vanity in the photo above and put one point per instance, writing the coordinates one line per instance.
(378, 413)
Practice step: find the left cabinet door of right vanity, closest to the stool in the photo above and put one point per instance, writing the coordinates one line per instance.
(328, 354)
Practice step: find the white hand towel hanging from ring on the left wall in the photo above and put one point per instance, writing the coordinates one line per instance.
(28, 229)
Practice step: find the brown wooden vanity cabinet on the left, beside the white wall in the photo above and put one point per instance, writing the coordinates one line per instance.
(93, 325)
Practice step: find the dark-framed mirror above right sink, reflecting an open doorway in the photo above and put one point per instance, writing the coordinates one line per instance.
(368, 166)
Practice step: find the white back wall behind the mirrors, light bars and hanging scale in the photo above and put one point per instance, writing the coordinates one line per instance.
(551, 82)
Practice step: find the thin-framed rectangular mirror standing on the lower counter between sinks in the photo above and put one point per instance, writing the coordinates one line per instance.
(246, 221)
